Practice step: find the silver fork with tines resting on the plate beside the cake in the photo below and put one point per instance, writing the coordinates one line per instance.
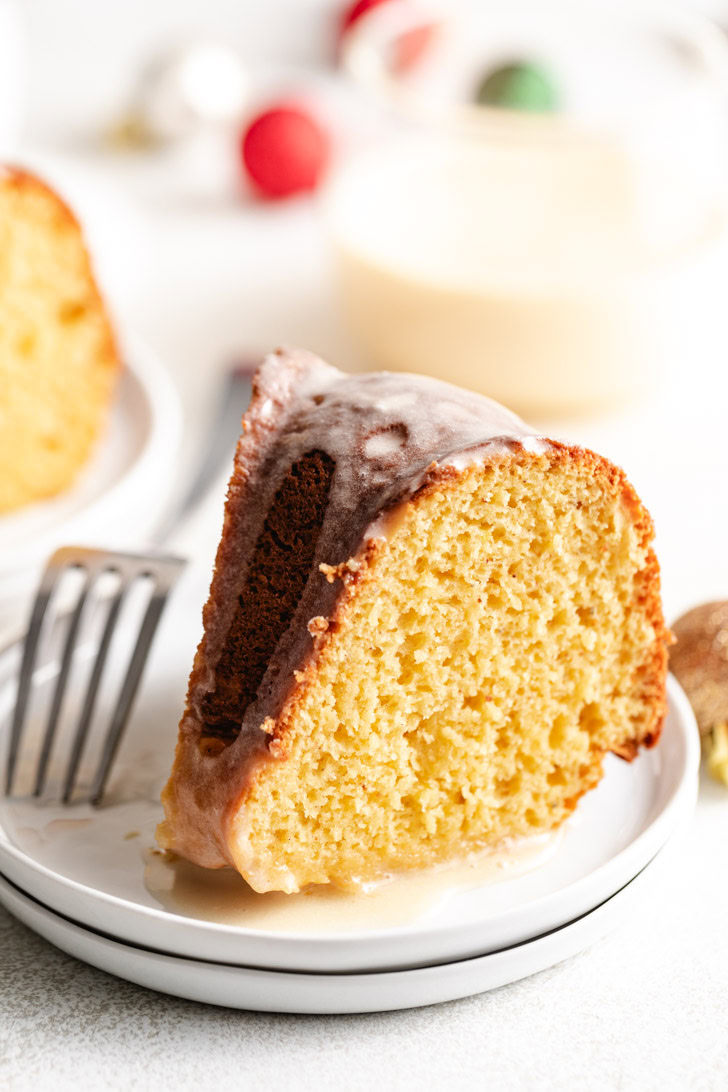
(162, 571)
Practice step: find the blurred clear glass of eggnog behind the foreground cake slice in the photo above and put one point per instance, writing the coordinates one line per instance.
(542, 213)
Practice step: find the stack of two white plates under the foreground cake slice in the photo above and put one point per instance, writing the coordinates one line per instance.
(93, 884)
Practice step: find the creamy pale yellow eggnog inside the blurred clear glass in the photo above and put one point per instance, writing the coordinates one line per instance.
(554, 279)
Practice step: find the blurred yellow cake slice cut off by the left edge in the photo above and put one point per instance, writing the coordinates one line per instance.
(57, 355)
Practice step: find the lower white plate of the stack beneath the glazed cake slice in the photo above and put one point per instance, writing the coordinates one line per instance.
(243, 988)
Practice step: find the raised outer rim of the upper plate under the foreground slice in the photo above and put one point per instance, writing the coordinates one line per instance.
(301, 952)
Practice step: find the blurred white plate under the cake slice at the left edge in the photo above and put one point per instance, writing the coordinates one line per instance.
(115, 502)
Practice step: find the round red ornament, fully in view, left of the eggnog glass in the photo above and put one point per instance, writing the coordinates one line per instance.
(285, 151)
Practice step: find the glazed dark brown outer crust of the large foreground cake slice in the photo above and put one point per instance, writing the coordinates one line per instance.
(324, 467)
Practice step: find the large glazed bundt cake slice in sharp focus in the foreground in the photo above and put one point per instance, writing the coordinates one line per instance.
(426, 630)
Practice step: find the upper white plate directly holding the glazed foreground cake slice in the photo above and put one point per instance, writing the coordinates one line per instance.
(101, 869)
